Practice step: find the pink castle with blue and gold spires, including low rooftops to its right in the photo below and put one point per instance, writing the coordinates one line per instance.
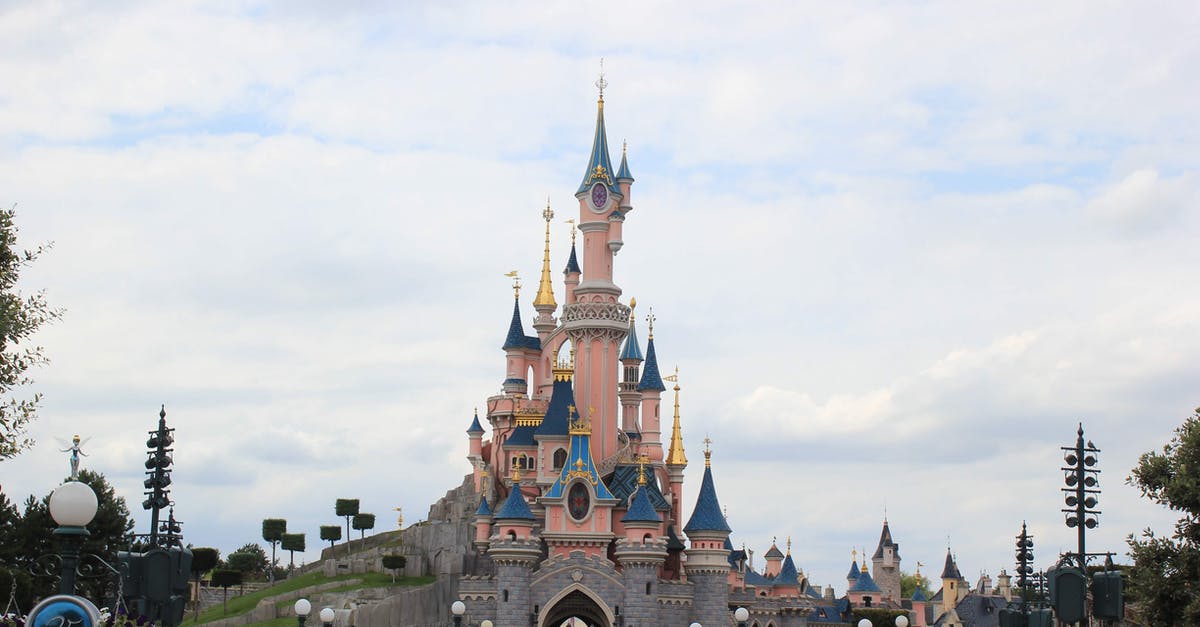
(581, 509)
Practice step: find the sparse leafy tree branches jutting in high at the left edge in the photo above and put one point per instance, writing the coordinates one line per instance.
(21, 317)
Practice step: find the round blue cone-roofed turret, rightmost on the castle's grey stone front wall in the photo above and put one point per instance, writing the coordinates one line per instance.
(707, 564)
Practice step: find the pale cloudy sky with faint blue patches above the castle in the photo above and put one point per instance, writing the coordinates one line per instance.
(899, 252)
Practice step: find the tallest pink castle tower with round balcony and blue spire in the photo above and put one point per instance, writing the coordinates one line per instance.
(593, 319)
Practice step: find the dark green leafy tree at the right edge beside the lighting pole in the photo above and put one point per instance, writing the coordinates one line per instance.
(1162, 580)
